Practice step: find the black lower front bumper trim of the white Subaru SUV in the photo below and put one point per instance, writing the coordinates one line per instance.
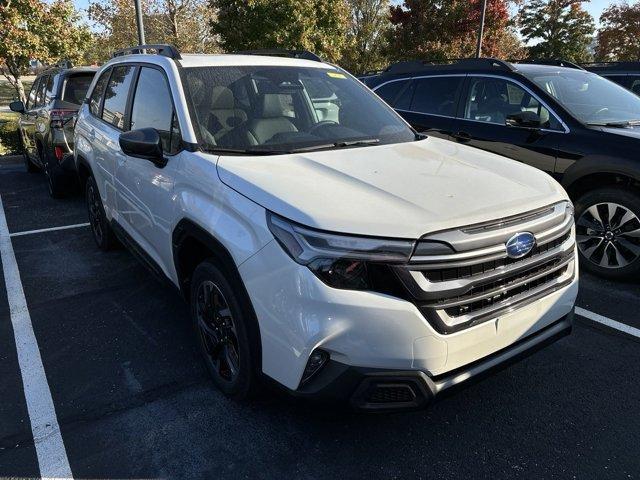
(373, 389)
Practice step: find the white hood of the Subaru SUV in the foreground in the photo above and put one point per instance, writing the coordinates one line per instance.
(401, 190)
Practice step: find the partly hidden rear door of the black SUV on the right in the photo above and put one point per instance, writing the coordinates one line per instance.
(429, 103)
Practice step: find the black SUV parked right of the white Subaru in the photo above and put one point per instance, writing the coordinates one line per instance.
(577, 126)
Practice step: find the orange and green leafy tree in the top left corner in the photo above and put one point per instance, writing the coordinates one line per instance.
(37, 30)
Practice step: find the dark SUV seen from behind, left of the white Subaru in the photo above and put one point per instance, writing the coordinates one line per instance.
(47, 121)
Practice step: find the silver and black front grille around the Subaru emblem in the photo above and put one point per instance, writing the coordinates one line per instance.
(479, 281)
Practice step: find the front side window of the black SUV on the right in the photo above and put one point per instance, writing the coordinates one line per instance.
(492, 100)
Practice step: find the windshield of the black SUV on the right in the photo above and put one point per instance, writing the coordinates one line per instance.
(589, 97)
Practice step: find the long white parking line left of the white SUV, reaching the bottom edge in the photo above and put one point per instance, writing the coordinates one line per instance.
(50, 450)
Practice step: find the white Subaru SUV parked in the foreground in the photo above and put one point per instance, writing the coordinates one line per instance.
(319, 240)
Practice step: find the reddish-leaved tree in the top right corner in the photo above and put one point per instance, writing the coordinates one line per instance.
(619, 33)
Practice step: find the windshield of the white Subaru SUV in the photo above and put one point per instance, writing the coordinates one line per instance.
(284, 109)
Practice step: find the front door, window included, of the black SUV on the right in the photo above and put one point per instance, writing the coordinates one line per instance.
(487, 102)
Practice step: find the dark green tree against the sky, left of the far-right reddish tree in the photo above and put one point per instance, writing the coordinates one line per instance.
(557, 29)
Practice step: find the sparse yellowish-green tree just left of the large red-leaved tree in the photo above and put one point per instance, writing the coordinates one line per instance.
(367, 35)
